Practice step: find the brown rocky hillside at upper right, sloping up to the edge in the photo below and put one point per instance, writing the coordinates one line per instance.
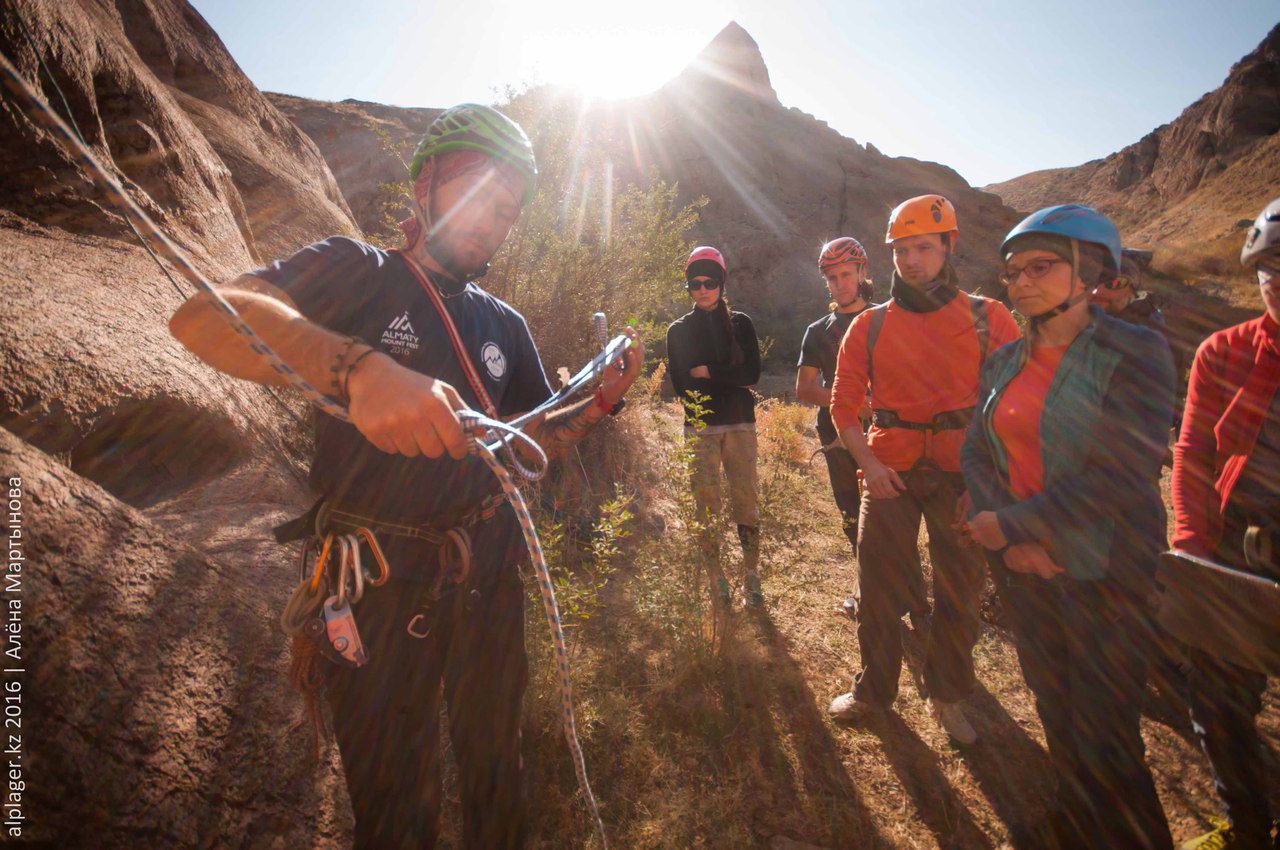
(1187, 184)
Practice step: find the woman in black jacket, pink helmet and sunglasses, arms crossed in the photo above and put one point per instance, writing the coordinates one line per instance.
(714, 359)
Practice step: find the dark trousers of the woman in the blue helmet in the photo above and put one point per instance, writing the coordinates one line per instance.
(1084, 648)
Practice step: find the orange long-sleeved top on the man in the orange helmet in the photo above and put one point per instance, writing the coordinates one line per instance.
(925, 364)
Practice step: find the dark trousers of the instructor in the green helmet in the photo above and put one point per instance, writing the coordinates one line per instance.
(386, 715)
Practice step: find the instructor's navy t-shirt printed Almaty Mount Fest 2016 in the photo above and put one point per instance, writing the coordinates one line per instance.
(363, 291)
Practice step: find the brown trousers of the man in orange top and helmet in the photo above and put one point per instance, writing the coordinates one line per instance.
(889, 568)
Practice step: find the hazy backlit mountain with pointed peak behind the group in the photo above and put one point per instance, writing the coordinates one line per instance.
(780, 182)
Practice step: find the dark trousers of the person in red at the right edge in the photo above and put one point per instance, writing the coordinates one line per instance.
(1226, 701)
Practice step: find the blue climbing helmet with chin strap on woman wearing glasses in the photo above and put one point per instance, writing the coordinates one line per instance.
(1076, 225)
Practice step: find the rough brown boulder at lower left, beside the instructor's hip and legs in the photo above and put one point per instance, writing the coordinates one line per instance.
(156, 711)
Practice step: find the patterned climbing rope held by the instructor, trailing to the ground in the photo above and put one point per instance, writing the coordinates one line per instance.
(481, 428)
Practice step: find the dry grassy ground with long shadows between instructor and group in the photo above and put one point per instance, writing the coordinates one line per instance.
(715, 735)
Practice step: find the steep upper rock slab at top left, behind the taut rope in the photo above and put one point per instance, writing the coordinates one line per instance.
(158, 98)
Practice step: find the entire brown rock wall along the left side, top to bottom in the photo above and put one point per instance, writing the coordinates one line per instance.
(157, 701)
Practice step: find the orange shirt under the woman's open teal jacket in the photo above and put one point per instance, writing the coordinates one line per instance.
(1017, 419)
